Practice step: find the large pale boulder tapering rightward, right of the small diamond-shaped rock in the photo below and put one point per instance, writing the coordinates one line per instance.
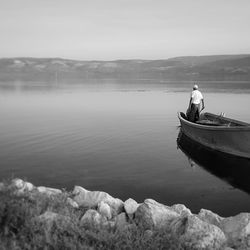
(152, 214)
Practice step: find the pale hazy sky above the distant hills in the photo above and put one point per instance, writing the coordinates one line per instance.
(123, 29)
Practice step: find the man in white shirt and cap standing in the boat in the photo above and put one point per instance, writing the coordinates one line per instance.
(195, 103)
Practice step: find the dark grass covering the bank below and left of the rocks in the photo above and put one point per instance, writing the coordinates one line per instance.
(20, 230)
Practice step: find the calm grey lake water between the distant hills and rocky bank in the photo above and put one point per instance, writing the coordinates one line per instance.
(120, 138)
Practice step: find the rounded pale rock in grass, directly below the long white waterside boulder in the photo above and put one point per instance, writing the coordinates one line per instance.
(93, 219)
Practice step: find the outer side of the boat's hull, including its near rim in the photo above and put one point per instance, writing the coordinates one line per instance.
(232, 140)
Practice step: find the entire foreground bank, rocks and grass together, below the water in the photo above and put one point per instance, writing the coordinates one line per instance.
(41, 217)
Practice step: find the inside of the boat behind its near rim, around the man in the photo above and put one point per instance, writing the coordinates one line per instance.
(210, 119)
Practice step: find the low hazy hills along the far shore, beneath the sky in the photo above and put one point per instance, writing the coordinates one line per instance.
(217, 67)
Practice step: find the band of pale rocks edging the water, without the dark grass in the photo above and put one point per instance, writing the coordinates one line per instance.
(205, 230)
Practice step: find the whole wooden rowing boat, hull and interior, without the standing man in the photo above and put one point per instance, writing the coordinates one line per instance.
(219, 133)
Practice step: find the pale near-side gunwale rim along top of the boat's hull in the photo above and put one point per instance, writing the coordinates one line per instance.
(209, 127)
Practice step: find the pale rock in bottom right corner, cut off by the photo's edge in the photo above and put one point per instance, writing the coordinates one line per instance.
(237, 229)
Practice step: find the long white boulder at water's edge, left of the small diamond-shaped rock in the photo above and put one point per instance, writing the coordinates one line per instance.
(92, 198)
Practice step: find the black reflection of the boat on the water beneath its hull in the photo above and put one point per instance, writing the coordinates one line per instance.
(234, 170)
